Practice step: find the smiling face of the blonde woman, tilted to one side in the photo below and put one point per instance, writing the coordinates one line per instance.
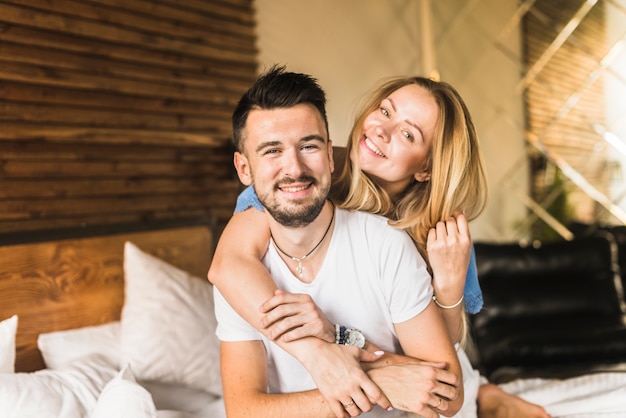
(397, 137)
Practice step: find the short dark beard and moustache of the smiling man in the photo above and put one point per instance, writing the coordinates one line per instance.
(297, 214)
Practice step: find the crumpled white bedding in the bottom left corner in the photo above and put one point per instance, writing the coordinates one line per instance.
(68, 393)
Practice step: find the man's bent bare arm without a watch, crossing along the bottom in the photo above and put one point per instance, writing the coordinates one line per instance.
(244, 378)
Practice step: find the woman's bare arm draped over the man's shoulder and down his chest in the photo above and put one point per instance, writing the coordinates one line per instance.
(243, 280)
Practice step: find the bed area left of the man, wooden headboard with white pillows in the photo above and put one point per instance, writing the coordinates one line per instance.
(109, 322)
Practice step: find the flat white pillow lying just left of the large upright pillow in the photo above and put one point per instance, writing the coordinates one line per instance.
(61, 348)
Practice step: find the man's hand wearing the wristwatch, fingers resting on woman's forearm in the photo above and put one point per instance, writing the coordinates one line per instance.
(291, 316)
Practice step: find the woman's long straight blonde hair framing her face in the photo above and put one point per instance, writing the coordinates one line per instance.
(457, 177)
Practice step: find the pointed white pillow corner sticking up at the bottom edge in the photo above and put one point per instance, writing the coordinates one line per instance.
(123, 397)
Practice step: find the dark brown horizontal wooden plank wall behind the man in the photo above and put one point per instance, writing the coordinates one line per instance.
(118, 111)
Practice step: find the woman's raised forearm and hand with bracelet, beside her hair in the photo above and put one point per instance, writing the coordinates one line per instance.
(449, 248)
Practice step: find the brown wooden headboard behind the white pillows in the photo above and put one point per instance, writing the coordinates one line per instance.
(75, 282)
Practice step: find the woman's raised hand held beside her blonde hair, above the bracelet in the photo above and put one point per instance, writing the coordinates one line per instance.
(449, 248)
